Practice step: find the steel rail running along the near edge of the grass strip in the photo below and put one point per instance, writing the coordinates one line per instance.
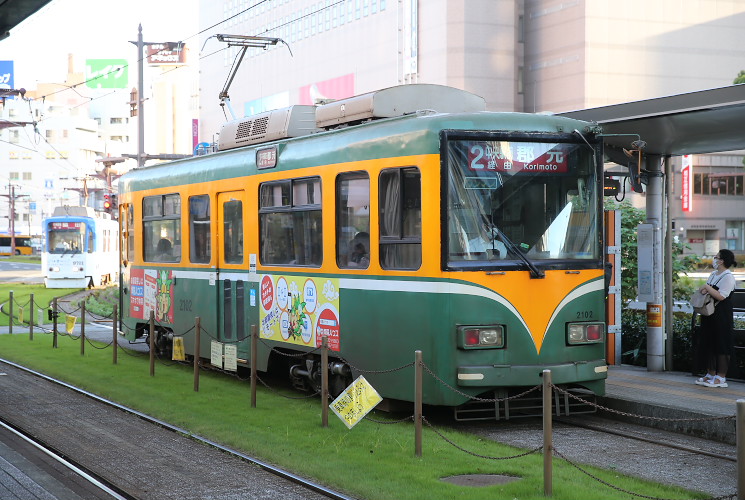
(179, 430)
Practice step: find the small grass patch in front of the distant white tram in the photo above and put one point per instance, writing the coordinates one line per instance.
(22, 295)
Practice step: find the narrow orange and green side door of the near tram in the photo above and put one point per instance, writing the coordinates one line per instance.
(232, 287)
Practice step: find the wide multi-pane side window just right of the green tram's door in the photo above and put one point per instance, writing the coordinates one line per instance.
(290, 222)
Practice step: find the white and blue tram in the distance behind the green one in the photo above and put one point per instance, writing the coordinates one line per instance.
(81, 248)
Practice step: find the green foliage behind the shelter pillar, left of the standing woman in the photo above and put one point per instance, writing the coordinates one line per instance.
(631, 217)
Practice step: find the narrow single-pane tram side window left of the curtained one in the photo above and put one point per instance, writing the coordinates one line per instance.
(353, 220)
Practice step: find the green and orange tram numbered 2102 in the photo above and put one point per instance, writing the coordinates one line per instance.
(400, 220)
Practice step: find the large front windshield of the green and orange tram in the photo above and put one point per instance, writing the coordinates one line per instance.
(538, 199)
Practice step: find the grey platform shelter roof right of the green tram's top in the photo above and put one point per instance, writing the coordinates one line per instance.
(705, 121)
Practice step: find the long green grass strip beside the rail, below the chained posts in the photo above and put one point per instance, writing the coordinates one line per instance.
(370, 461)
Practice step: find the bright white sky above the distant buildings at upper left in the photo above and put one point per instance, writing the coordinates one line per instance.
(93, 29)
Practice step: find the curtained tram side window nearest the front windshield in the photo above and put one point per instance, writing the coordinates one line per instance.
(400, 218)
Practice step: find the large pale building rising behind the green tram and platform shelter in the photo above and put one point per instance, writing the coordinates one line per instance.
(520, 55)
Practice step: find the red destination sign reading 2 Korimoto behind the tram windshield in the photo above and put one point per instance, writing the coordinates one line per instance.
(515, 157)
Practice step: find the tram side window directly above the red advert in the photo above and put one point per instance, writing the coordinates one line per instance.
(161, 228)
